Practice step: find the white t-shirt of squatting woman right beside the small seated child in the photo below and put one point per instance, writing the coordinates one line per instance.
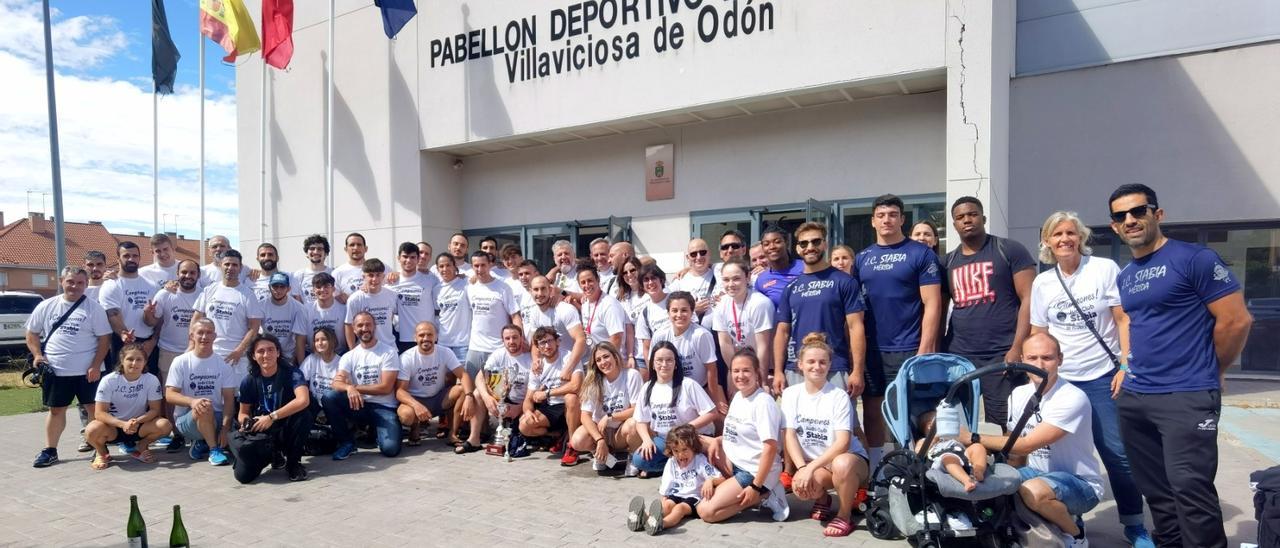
(752, 421)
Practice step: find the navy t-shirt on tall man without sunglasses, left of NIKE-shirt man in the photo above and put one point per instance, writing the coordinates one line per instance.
(893, 277)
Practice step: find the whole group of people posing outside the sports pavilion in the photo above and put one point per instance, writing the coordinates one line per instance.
(735, 382)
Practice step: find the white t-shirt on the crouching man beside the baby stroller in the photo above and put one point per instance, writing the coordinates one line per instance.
(1067, 408)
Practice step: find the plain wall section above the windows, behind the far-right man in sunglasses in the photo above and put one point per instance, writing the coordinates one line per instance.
(1201, 130)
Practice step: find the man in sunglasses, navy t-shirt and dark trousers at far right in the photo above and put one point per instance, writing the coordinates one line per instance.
(1187, 326)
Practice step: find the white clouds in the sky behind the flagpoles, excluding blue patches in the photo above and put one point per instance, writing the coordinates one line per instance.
(106, 134)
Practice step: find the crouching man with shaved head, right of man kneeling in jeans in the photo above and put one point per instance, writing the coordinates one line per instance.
(426, 389)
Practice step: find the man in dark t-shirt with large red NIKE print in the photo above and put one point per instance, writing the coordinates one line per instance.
(991, 289)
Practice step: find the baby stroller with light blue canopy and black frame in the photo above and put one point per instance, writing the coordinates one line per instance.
(912, 500)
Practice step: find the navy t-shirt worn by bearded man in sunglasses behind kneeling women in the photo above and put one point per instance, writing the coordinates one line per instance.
(820, 303)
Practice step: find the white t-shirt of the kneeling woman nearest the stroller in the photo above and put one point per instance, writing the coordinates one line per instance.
(817, 418)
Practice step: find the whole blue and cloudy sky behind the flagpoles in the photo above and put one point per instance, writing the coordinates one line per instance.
(103, 83)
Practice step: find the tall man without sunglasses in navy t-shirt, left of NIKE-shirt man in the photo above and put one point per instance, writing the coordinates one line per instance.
(904, 304)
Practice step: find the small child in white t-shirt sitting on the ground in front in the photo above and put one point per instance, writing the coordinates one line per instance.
(688, 479)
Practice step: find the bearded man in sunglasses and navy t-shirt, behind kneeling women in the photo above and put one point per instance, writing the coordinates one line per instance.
(821, 300)
